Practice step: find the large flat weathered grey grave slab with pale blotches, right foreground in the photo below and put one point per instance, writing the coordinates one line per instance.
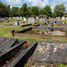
(49, 53)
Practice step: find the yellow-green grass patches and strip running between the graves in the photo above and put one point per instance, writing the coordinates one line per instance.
(5, 33)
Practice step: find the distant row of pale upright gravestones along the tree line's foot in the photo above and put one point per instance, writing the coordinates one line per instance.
(33, 19)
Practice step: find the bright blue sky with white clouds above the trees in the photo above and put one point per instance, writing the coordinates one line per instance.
(39, 3)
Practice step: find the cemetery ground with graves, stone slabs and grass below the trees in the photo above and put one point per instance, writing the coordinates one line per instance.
(50, 43)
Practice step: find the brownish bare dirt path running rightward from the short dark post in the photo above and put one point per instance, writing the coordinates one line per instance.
(41, 36)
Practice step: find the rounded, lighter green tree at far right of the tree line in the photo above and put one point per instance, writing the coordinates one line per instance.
(59, 10)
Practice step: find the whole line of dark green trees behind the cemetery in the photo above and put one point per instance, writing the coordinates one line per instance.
(25, 11)
